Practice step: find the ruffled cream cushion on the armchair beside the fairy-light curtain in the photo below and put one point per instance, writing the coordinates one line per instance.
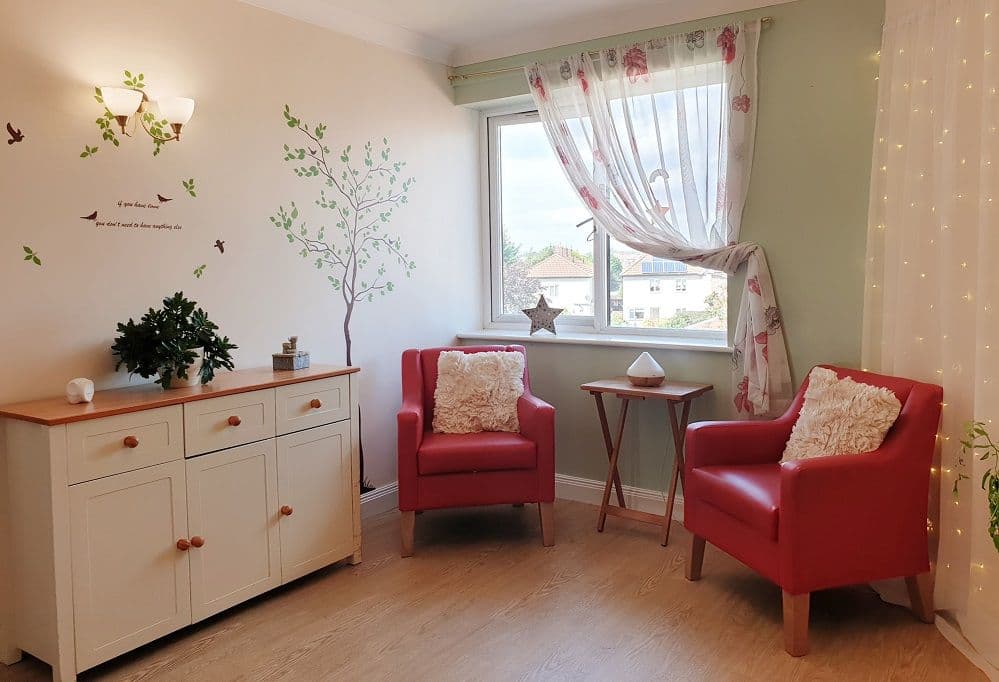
(841, 417)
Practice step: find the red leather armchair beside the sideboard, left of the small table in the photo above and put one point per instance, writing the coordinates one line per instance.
(440, 470)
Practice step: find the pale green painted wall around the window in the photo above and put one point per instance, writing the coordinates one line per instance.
(807, 206)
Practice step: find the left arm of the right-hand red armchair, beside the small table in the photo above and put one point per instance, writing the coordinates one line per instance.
(735, 442)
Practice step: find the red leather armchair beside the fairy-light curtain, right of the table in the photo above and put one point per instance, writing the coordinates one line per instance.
(816, 523)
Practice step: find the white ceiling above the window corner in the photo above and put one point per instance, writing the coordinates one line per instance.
(458, 32)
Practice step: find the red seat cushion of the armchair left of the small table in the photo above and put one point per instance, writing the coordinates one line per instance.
(451, 453)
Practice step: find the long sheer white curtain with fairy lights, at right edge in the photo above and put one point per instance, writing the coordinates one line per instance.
(932, 281)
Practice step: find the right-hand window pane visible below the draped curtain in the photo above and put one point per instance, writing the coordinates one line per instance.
(655, 293)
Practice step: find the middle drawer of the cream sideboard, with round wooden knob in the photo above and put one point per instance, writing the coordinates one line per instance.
(217, 423)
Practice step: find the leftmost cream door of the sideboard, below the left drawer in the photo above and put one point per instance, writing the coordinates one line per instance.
(131, 583)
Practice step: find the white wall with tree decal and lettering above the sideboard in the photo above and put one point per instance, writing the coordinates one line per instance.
(241, 64)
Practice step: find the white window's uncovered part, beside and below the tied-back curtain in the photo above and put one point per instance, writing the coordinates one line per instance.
(542, 240)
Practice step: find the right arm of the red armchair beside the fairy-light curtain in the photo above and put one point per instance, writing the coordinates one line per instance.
(857, 518)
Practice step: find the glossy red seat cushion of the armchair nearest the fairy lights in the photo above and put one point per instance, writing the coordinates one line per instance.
(749, 493)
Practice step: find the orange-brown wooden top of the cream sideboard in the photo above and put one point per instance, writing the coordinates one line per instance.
(55, 411)
